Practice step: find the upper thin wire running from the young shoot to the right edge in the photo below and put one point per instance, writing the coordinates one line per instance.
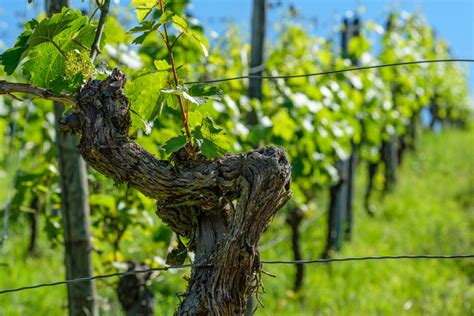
(331, 72)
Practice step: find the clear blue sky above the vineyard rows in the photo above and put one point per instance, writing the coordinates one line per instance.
(453, 20)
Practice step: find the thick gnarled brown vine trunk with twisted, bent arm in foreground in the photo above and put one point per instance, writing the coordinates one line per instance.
(223, 205)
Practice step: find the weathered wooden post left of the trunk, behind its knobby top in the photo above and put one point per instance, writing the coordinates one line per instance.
(75, 212)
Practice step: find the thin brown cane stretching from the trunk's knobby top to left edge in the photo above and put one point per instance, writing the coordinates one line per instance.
(15, 87)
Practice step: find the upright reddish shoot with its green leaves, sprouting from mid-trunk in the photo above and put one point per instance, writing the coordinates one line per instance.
(151, 92)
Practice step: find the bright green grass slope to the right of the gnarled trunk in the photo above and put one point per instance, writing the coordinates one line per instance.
(430, 212)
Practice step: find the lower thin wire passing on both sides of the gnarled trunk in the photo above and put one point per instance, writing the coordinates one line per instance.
(263, 261)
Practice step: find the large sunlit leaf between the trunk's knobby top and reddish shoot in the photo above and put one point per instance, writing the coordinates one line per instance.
(145, 100)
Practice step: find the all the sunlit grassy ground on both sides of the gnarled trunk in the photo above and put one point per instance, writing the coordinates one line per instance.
(430, 212)
